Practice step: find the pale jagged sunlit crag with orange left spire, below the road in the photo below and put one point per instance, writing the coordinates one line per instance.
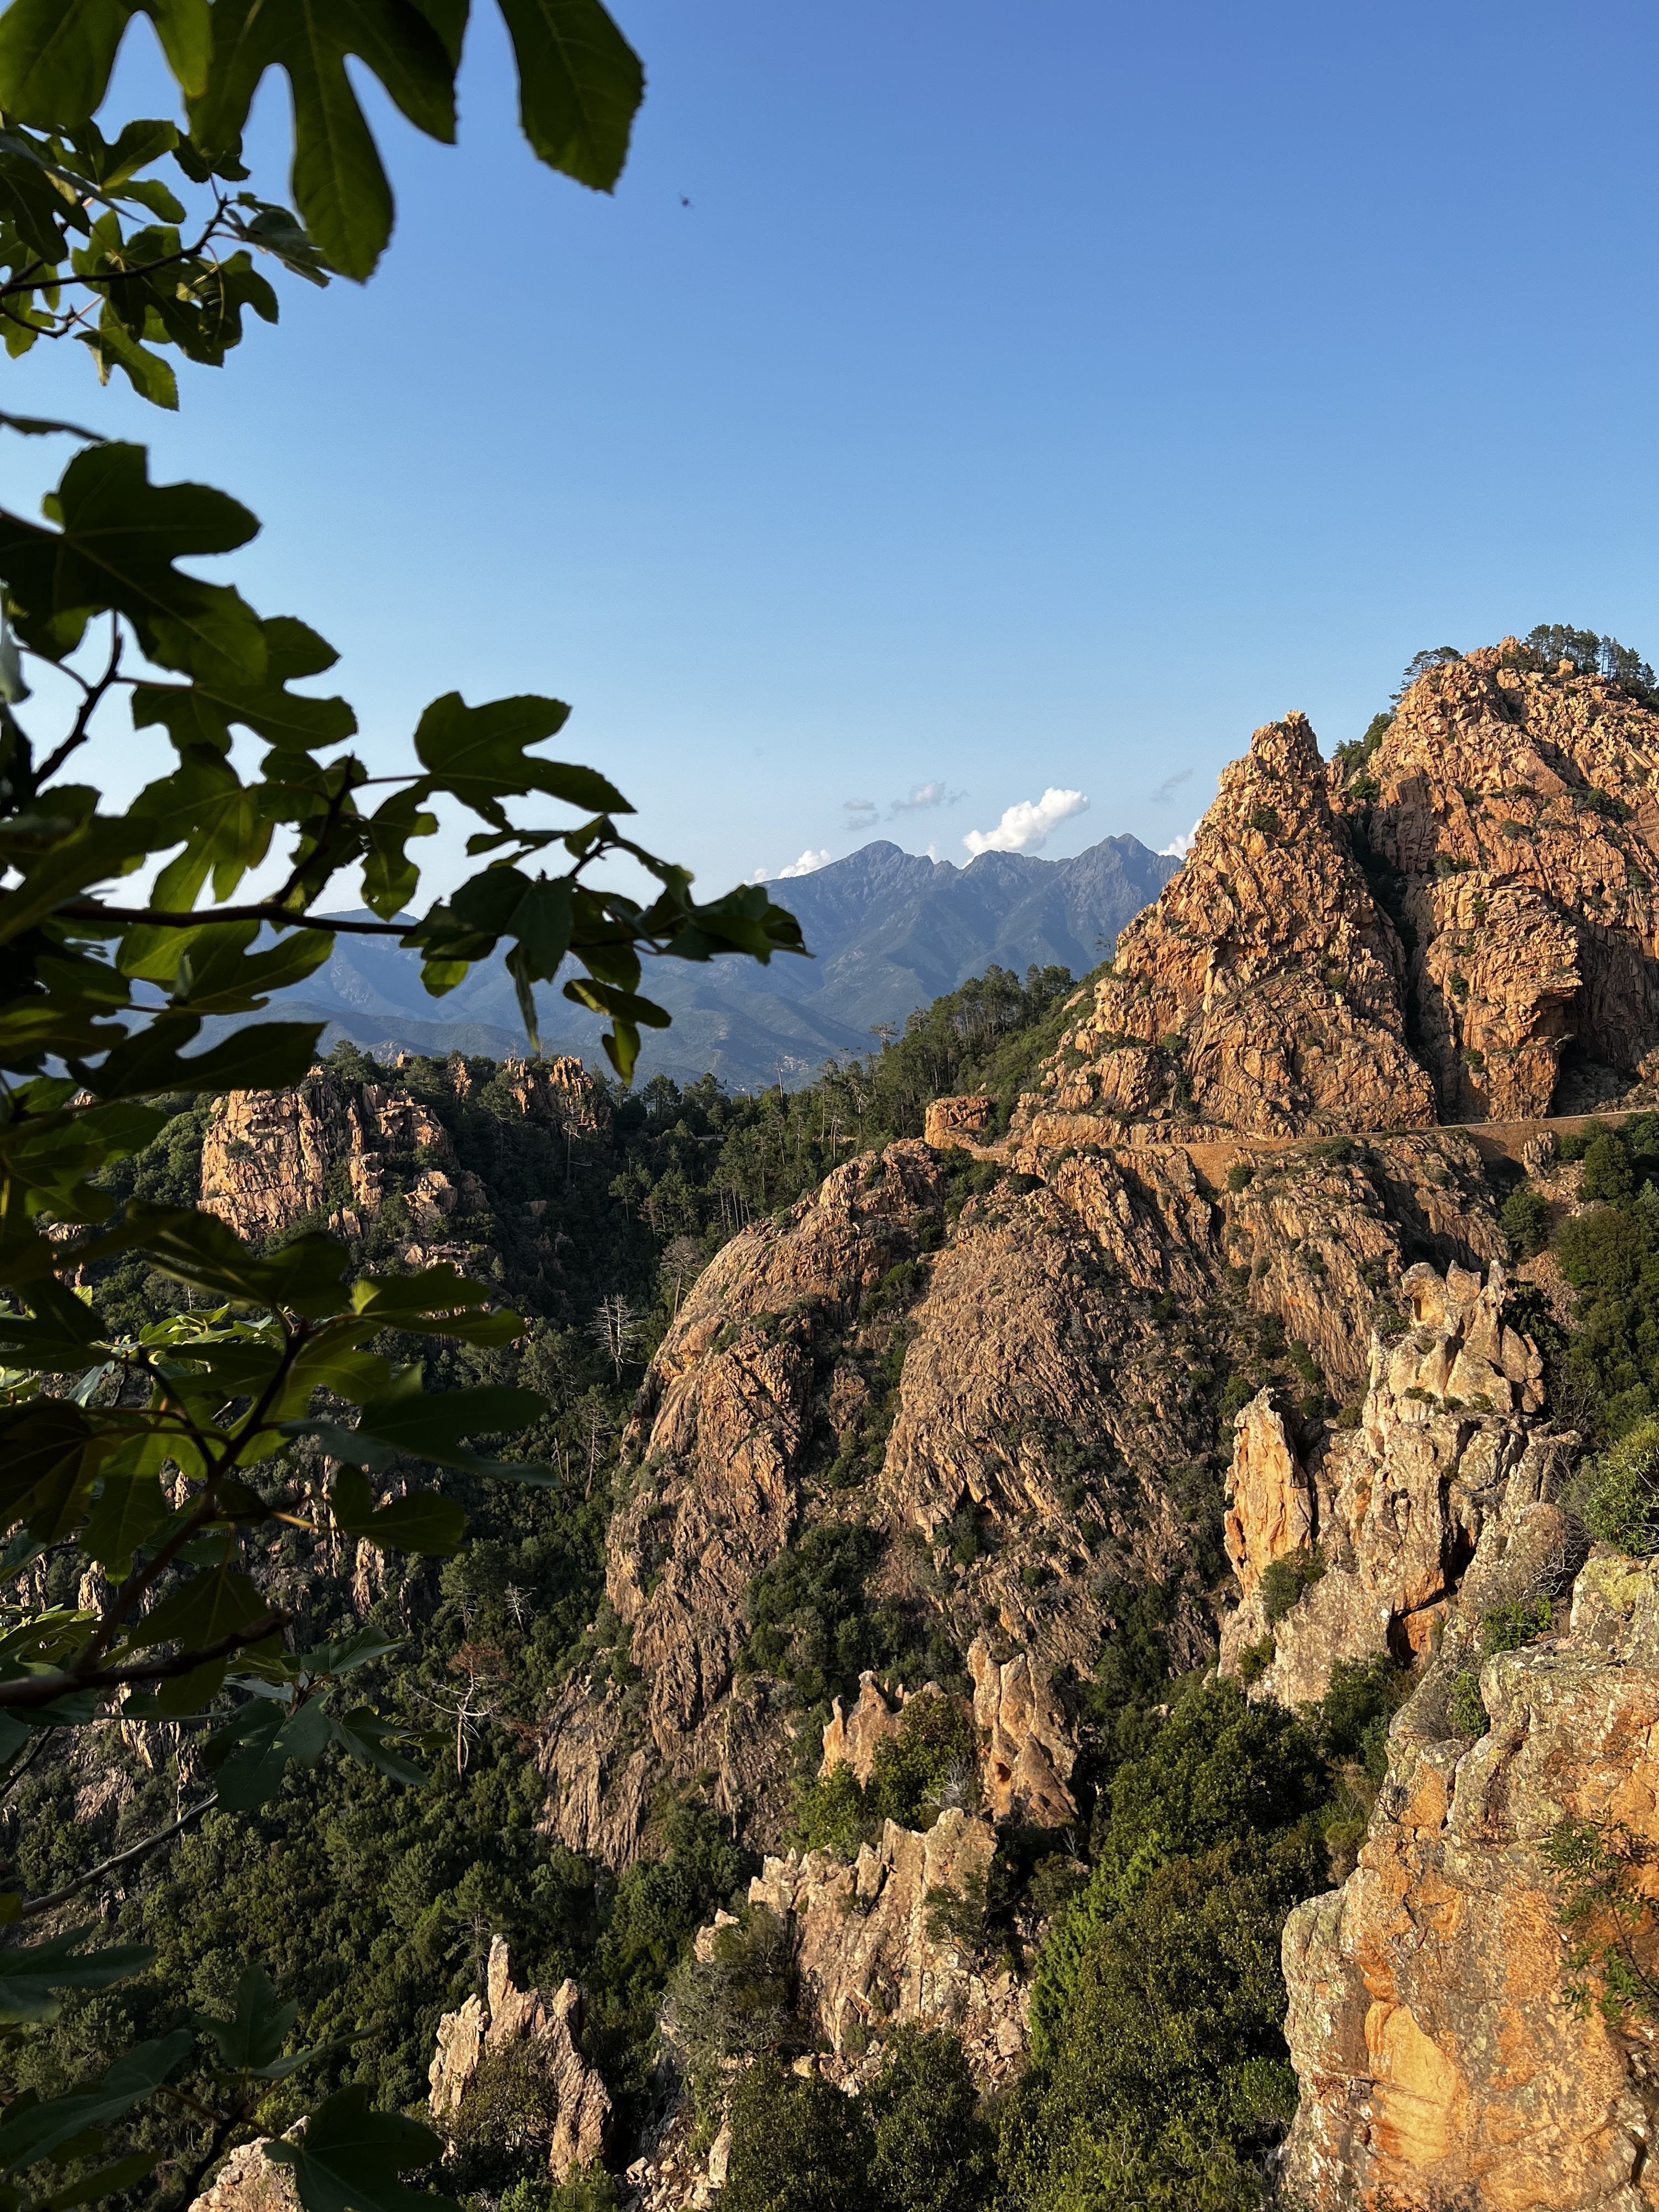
(1390, 1514)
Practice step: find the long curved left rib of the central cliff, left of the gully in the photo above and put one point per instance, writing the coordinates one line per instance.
(729, 1412)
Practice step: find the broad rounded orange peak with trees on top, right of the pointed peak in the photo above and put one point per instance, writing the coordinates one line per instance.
(1512, 820)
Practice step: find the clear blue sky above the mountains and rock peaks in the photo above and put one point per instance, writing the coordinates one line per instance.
(1030, 399)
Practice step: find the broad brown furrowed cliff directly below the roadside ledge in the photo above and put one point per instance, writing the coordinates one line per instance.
(1047, 1441)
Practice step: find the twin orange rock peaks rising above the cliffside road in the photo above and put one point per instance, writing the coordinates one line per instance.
(1461, 932)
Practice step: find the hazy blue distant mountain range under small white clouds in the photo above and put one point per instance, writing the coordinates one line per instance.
(890, 932)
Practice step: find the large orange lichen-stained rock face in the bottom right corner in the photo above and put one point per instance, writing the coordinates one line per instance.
(1441, 2054)
